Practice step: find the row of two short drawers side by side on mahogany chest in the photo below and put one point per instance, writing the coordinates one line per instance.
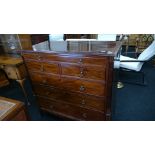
(76, 70)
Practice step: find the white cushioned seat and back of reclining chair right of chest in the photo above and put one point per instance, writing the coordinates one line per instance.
(132, 64)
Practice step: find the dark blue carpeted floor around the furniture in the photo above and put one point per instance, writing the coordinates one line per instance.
(131, 103)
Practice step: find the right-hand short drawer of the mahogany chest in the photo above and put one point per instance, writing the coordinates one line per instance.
(91, 72)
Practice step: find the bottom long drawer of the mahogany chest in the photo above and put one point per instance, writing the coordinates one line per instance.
(70, 111)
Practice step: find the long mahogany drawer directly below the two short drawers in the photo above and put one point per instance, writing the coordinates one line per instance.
(69, 84)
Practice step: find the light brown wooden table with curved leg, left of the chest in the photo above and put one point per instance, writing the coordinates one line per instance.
(15, 70)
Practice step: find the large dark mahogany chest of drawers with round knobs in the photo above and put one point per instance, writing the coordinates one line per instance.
(74, 85)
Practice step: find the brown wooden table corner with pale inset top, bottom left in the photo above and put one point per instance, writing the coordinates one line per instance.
(12, 110)
